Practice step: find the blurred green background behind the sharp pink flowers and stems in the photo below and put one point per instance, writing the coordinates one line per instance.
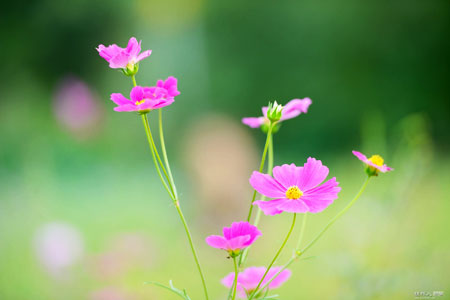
(74, 172)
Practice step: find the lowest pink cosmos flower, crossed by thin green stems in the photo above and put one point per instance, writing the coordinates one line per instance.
(249, 278)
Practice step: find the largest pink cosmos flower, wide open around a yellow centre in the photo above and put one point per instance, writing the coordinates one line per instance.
(296, 189)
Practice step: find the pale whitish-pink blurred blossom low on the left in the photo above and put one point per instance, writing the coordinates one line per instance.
(58, 246)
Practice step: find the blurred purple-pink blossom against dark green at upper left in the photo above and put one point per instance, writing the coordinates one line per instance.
(76, 107)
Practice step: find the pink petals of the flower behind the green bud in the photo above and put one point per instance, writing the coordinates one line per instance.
(291, 110)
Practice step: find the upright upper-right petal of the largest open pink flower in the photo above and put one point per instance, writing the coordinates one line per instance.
(312, 174)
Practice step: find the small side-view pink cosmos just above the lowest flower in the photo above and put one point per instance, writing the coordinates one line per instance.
(239, 236)
